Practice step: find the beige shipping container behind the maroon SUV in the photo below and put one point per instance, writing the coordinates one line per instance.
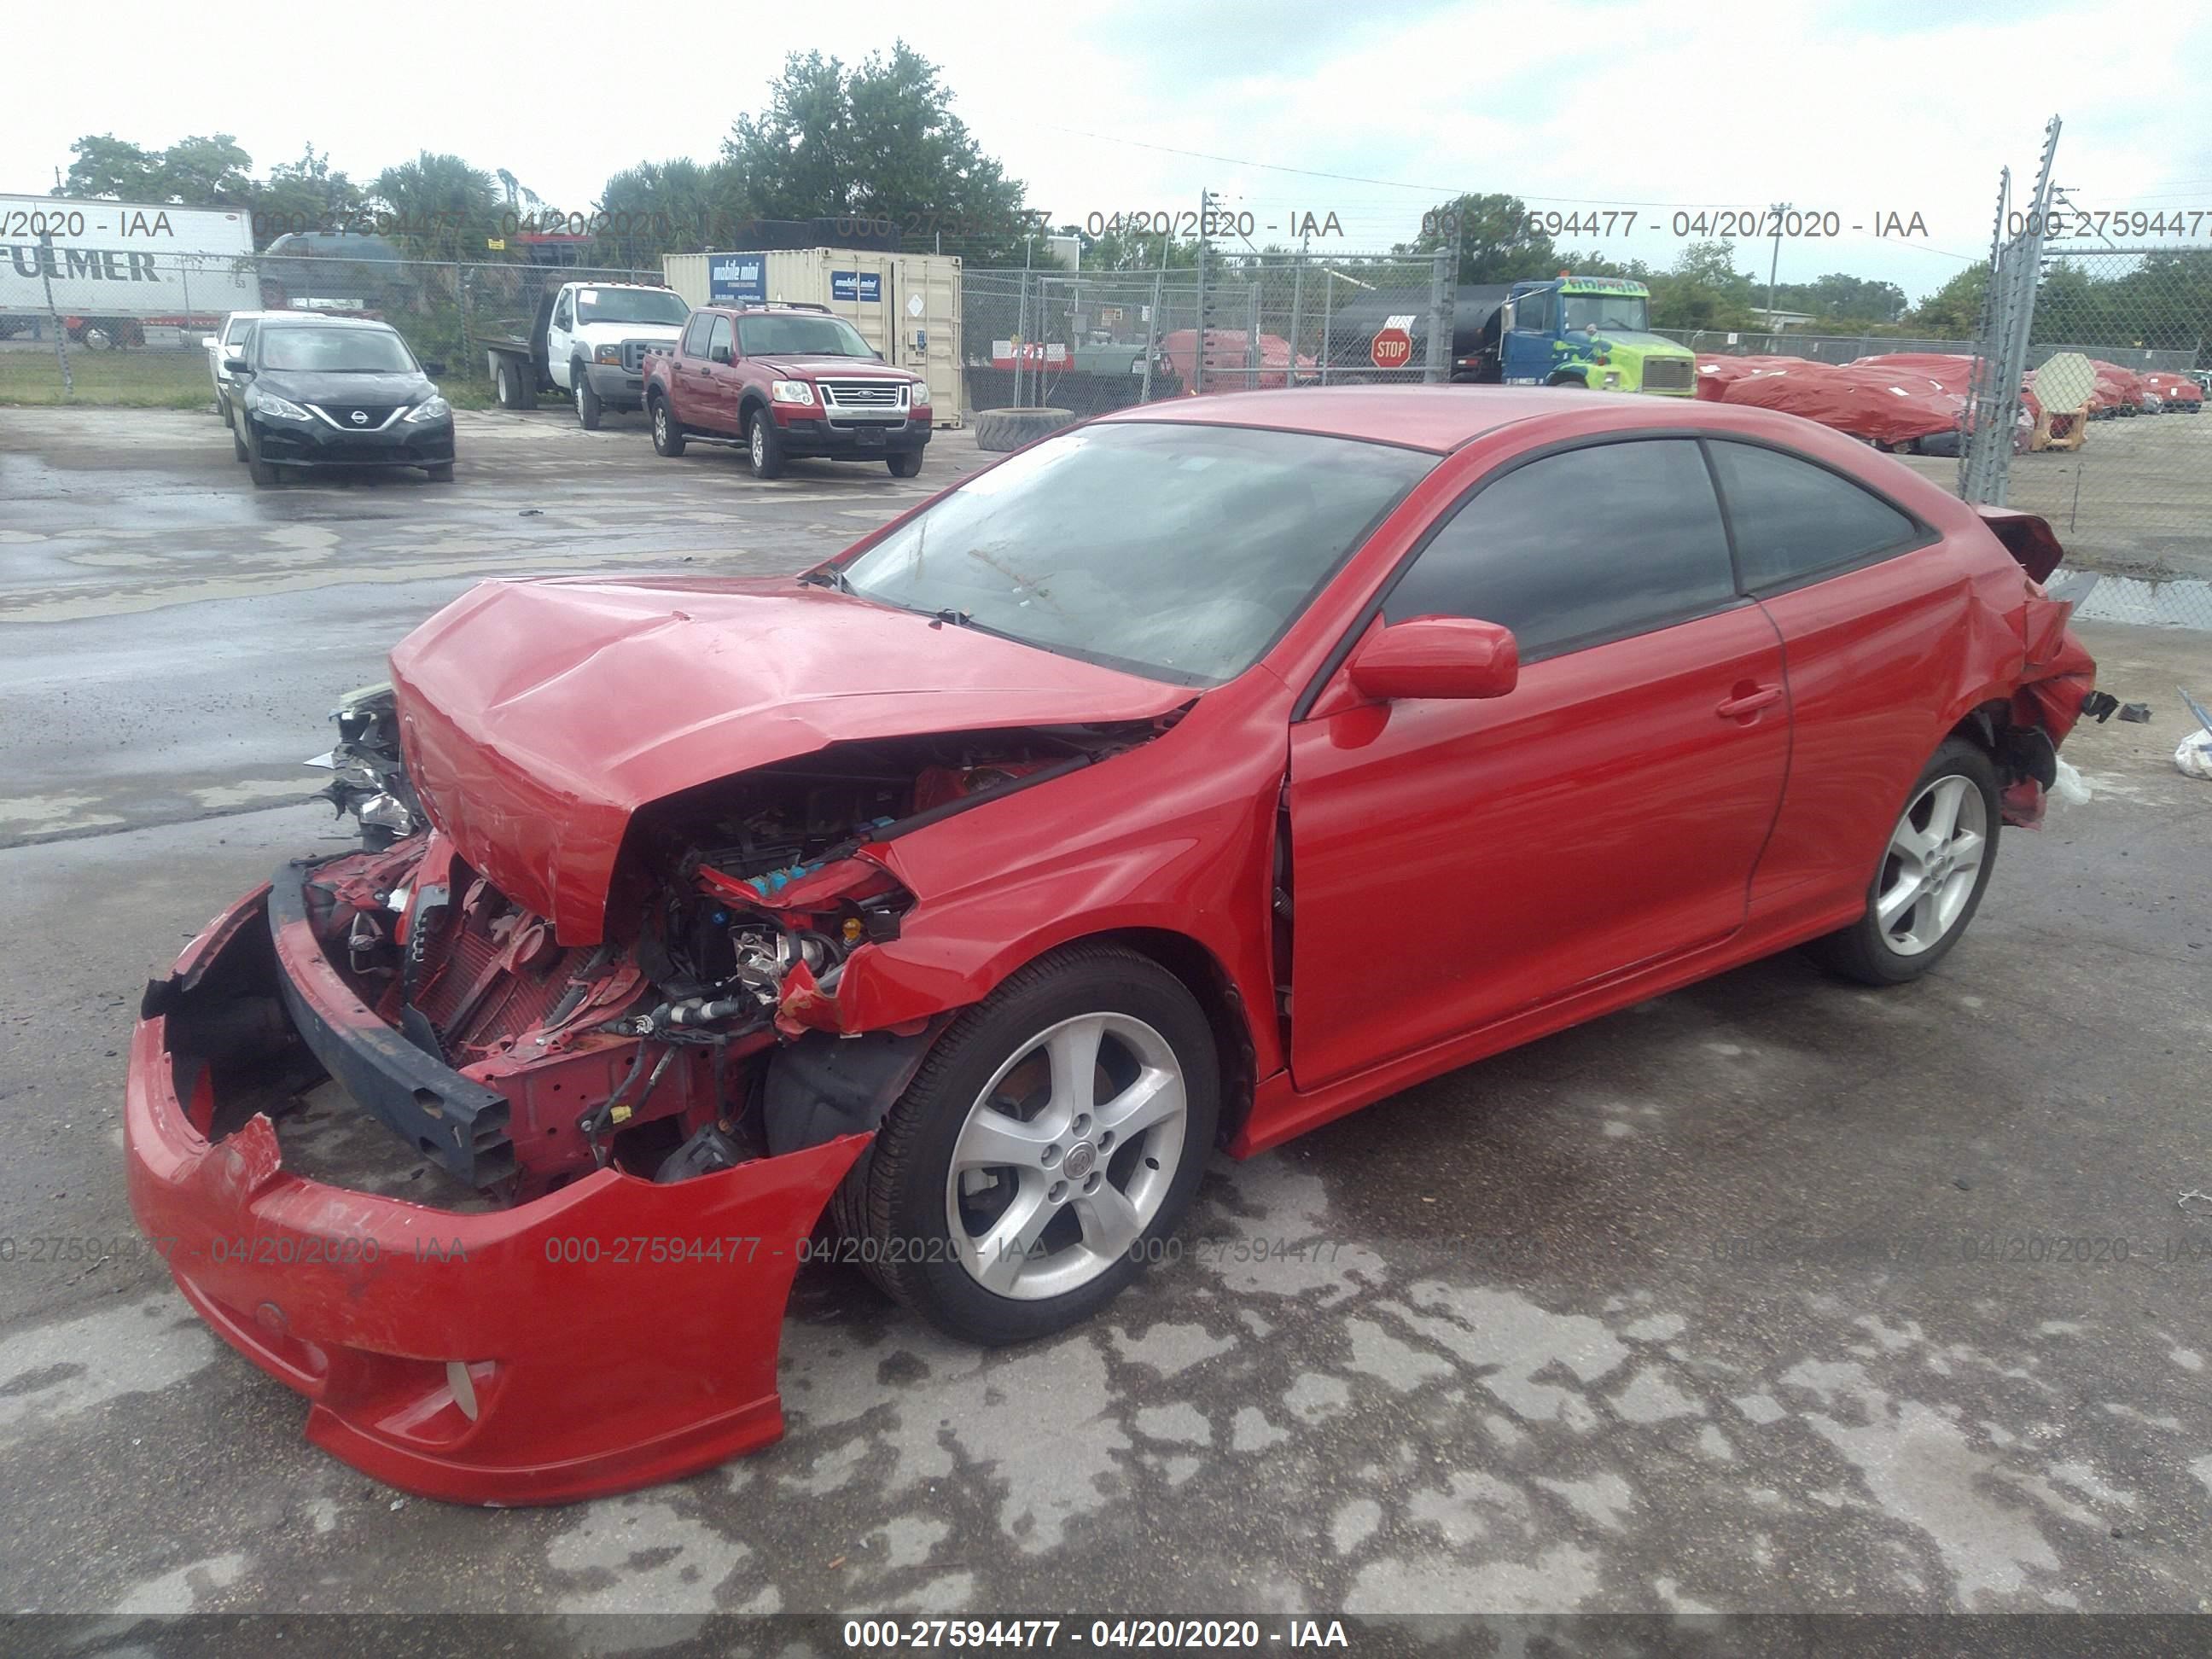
(908, 306)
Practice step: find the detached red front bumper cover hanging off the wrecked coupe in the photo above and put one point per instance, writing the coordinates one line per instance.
(612, 1335)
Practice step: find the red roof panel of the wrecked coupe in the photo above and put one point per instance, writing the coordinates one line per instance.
(1448, 417)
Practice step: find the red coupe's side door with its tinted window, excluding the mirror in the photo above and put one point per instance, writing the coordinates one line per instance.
(1454, 864)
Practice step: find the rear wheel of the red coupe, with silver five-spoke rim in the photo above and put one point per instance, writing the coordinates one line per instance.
(1930, 879)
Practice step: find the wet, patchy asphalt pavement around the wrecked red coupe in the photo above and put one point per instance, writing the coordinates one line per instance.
(1771, 1295)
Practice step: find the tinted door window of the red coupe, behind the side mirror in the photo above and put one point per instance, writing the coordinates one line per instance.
(1580, 547)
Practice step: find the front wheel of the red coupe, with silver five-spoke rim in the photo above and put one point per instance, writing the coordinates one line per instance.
(1052, 1138)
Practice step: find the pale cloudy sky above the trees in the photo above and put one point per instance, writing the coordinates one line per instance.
(1370, 112)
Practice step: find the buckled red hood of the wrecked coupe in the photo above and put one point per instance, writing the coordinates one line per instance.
(539, 718)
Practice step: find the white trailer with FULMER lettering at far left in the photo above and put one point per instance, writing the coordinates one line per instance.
(125, 260)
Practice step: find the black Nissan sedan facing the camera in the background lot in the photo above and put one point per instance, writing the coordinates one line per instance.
(335, 393)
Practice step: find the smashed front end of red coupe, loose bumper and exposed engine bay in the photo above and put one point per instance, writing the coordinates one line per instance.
(565, 1264)
